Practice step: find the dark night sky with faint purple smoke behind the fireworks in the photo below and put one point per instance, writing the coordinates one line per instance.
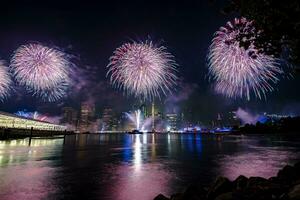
(91, 30)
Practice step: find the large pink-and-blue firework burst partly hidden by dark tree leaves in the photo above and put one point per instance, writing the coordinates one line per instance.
(237, 65)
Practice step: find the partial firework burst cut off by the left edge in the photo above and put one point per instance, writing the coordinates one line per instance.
(5, 83)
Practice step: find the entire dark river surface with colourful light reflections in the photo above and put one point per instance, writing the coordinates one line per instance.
(133, 167)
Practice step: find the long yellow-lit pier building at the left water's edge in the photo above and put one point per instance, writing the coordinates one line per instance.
(8, 120)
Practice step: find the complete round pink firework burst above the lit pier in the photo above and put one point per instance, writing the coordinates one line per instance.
(42, 70)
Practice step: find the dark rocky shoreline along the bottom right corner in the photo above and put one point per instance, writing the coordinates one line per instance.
(284, 186)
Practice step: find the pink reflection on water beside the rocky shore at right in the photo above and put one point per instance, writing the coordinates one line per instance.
(257, 161)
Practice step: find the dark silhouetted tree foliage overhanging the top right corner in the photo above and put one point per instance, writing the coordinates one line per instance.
(279, 22)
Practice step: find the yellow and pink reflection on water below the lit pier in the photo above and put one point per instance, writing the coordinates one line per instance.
(24, 171)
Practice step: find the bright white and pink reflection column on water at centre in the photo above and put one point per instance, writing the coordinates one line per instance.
(140, 180)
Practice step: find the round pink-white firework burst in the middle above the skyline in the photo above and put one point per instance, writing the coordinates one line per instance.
(142, 70)
